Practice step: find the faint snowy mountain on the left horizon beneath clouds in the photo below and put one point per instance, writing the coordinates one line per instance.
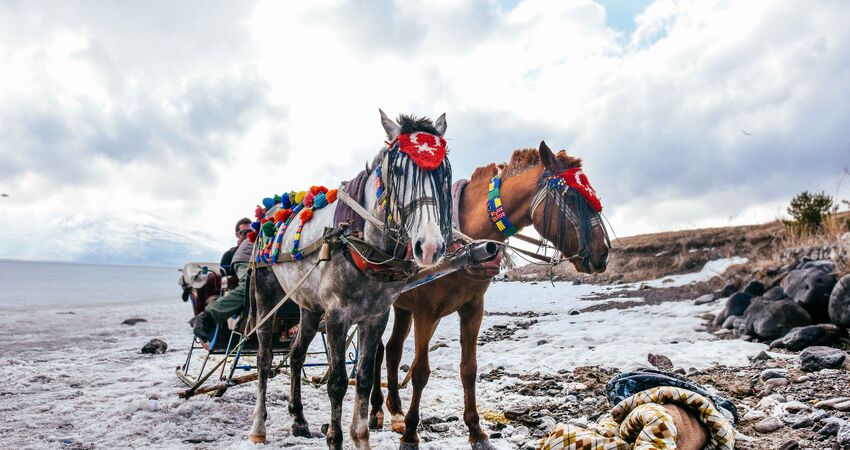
(128, 237)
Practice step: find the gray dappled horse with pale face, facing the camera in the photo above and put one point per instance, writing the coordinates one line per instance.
(416, 219)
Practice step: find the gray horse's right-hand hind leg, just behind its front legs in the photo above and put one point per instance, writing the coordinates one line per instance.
(307, 327)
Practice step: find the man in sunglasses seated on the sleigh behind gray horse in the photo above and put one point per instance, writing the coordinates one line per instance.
(231, 303)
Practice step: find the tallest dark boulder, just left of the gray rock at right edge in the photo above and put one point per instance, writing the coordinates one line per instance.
(810, 286)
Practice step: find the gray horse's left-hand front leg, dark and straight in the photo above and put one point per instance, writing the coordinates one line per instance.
(337, 328)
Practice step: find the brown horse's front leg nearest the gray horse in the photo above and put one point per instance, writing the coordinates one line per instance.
(423, 329)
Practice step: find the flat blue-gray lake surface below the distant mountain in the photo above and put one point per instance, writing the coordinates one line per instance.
(30, 285)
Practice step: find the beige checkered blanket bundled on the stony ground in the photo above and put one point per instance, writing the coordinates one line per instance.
(641, 423)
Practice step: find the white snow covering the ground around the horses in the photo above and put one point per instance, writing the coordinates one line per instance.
(73, 377)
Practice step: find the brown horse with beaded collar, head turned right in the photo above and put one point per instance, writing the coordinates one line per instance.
(528, 198)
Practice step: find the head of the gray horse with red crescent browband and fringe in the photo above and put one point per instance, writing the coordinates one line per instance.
(413, 186)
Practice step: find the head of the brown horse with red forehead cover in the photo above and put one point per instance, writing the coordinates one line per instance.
(567, 212)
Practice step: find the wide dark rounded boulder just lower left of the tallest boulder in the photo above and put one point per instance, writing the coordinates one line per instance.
(773, 319)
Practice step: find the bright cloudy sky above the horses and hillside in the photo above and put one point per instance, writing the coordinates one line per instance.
(119, 118)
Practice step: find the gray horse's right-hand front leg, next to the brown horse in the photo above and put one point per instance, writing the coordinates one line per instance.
(370, 332)
